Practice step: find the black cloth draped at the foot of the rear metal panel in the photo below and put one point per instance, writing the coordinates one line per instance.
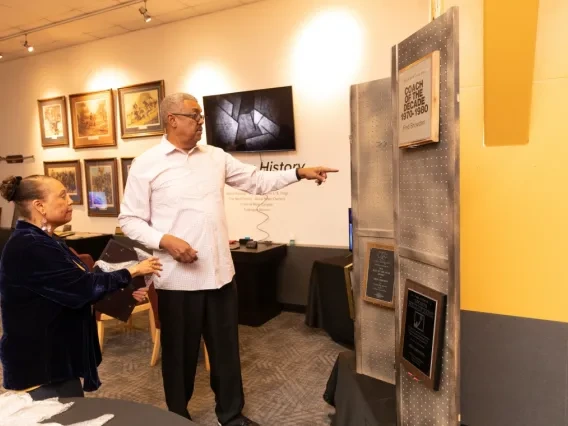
(359, 399)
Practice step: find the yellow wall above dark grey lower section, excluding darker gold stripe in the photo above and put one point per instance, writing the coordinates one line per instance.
(514, 199)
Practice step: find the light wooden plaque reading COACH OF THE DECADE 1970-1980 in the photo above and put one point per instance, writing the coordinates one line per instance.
(419, 101)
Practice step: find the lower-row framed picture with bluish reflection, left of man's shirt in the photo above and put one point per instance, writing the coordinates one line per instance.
(102, 187)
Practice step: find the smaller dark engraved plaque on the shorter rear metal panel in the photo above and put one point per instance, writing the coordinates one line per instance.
(378, 284)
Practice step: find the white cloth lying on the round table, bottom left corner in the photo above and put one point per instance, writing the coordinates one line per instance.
(19, 409)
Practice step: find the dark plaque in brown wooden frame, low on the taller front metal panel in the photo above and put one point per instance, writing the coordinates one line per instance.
(423, 319)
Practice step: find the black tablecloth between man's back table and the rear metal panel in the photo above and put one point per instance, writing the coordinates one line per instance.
(328, 304)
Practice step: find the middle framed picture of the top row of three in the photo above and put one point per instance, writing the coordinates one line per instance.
(92, 119)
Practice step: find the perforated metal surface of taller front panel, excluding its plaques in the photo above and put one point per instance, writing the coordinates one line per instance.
(426, 182)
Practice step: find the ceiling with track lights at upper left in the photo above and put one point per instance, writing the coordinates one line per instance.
(18, 17)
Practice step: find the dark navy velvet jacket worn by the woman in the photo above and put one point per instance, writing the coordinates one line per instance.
(46, 297)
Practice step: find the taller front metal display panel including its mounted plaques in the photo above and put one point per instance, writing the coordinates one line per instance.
(426, 191)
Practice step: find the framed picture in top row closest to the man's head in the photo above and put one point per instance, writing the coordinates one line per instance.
(140, 110)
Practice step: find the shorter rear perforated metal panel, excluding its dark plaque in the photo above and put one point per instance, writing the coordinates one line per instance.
(372, 191)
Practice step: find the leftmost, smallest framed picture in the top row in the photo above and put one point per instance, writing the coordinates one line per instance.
(53, 122)
